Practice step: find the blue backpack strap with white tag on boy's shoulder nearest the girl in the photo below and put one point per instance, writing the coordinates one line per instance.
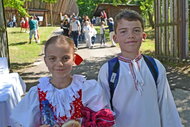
(113, 69)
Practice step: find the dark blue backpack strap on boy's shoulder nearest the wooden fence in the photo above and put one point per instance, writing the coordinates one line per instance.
(152, 67)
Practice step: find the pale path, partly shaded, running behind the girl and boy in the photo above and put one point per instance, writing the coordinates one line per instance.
(94, 58)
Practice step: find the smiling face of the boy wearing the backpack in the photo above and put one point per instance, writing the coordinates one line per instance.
(129, 35)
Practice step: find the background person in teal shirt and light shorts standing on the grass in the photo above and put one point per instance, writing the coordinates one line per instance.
(33, 30)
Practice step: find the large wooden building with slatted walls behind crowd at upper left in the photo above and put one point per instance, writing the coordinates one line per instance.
(49, 14)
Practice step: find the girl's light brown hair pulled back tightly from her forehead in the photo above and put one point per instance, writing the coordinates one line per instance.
(59, 39)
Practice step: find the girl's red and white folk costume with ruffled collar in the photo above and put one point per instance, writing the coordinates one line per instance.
(45, 103)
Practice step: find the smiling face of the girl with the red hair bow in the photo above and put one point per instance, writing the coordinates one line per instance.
(59, 60)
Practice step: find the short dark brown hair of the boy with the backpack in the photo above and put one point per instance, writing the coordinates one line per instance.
(129, 15)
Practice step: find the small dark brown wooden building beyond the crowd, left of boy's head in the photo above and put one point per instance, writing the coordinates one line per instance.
(112, 10)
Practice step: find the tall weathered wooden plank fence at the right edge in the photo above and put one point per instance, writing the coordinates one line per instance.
(171, 29)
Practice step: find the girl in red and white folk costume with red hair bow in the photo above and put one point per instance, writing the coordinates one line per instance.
(63, 97)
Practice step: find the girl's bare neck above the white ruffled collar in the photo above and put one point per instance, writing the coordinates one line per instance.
(61, 83)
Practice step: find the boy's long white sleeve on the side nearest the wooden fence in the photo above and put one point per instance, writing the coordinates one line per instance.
(168, 112)
